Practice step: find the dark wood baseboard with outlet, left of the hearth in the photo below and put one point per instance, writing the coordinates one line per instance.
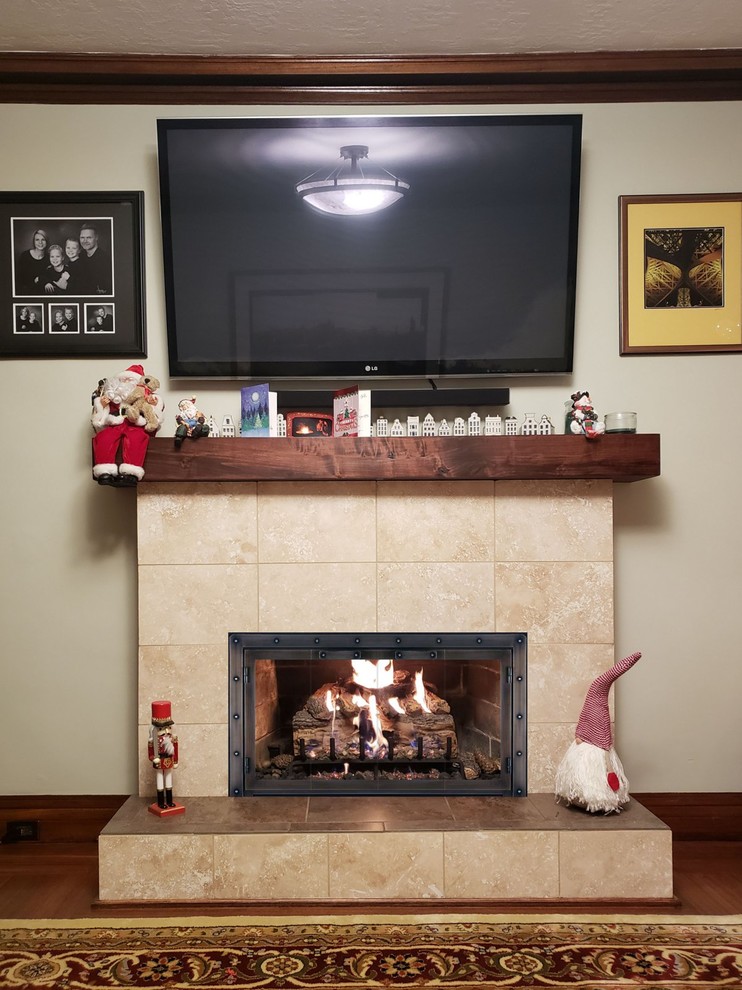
(61, 818)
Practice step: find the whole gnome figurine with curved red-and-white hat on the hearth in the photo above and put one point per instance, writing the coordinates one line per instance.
(590, 774)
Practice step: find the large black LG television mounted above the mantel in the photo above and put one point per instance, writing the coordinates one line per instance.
(282, 261)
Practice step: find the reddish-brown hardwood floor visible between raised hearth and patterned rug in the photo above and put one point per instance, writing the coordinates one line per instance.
(60, 880)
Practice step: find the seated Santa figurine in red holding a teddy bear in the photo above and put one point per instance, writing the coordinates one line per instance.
(119, 445)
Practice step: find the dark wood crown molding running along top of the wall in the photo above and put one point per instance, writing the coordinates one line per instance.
(588, 77)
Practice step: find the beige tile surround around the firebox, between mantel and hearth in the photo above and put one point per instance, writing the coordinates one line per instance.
(363, 556)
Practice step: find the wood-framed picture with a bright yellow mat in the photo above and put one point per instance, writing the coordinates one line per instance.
(681, 273)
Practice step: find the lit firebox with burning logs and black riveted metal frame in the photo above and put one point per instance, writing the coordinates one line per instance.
(373, 713)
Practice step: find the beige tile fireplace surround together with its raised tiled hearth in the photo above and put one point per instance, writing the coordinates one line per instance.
(364, 556)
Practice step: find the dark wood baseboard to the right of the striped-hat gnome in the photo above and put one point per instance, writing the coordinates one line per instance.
(715, 816)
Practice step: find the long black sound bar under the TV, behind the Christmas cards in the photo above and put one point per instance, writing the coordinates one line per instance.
(320, 400)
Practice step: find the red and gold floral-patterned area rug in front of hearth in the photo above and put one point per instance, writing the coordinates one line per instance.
(471, 951)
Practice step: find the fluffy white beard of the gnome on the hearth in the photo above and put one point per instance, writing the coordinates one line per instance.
(582, 778)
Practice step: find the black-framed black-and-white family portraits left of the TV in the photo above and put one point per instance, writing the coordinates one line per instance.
(50, 307)
